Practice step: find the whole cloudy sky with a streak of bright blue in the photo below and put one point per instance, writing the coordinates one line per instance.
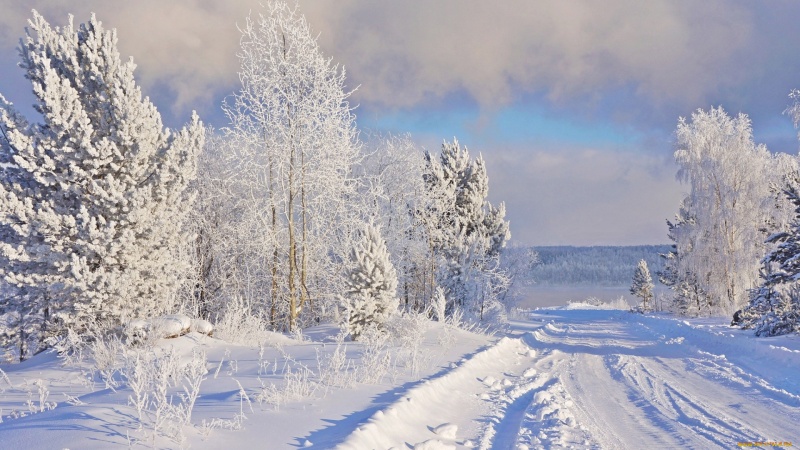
(573, 104)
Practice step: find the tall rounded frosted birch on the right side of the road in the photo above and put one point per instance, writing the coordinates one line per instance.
(719, 244)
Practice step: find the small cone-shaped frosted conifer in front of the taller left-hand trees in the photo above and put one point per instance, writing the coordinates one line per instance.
(371, 283)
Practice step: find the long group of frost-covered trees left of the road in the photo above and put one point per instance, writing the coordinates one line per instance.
(286, 217)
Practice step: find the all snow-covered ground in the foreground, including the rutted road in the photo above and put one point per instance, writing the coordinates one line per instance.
(559, 377)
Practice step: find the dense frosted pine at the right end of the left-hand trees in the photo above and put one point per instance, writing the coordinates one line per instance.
(465, 232)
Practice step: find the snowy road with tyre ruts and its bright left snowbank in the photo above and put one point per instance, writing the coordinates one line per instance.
(600, 379)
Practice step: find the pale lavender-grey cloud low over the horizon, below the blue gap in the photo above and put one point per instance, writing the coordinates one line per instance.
(584, 196)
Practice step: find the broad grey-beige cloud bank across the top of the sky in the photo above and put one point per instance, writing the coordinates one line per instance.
(406, 53)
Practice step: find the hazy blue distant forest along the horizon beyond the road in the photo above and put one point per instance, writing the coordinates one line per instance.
(595, 266)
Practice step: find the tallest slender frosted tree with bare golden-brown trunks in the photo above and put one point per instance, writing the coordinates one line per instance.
(297, 142)
